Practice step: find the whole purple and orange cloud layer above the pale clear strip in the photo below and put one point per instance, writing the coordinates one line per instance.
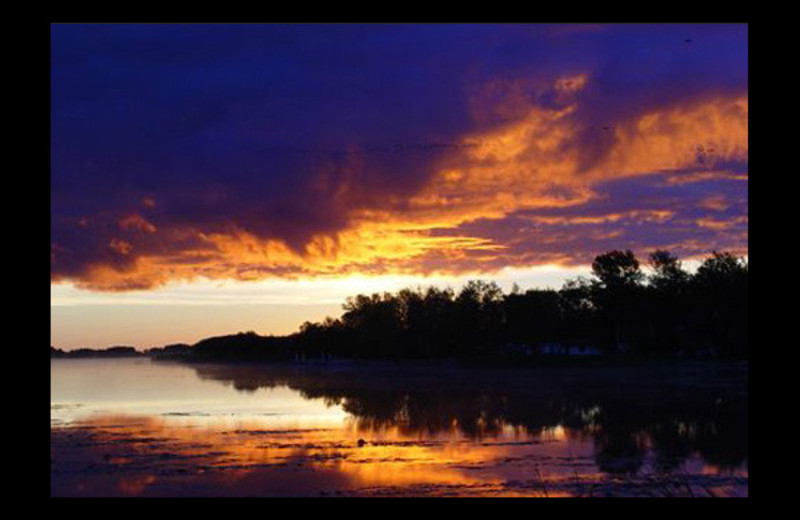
(511, 166)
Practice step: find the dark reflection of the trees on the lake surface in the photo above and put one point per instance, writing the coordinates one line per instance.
(675, 417)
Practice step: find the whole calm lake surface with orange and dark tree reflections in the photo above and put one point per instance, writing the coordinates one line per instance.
(136, 427)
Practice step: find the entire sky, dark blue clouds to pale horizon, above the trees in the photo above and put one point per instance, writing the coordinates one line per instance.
(207, 179)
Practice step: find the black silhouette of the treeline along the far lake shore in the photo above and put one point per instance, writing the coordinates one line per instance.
(618, 310)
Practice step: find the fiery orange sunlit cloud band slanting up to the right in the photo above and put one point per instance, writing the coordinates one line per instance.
(535, 158)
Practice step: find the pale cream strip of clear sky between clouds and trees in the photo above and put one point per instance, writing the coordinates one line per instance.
(186, 312)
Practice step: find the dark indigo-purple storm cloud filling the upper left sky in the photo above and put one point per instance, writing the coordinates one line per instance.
(287, 133)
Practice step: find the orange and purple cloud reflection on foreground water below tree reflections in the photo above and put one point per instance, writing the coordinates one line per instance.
(158, 456)
